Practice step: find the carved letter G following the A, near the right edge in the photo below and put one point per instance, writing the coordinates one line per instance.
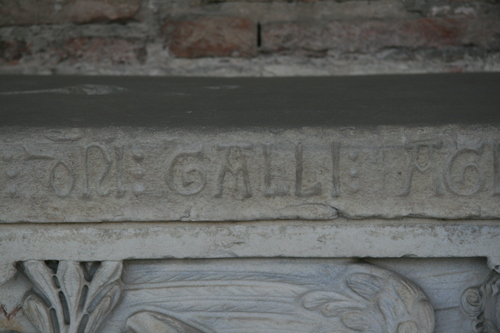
(453, 185)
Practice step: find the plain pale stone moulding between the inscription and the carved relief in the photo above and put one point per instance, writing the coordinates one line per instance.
(376, 238)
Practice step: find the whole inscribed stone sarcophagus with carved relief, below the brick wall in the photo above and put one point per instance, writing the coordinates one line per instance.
(210, 205)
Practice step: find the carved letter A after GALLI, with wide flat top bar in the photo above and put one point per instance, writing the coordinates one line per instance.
(416, 165)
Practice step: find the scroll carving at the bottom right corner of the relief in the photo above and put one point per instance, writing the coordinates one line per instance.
(482, 304)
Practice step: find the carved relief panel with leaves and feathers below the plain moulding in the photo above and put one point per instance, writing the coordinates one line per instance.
(252, 295)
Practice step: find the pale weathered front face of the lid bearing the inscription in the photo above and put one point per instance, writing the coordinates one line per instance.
(286, 177)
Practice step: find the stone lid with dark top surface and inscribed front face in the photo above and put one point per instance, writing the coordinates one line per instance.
(92, 149)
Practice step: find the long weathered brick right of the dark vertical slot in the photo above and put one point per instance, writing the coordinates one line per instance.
(372, 36)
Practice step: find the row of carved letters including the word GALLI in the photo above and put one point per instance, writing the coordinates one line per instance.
(105, 169)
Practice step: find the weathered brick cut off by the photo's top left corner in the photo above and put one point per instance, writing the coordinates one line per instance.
(30, 12)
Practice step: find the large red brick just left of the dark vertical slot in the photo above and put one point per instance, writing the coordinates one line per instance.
(211, 36)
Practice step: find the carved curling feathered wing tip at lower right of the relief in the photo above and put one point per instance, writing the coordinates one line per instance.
(376, 305)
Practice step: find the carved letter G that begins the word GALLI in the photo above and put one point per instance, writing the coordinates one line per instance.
(193, 178)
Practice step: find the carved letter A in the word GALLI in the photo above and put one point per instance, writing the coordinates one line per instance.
(240, 169)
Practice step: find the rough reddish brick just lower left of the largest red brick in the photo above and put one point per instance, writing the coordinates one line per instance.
(101, 50)
